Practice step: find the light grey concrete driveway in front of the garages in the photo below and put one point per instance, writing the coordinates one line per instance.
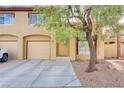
(37, 73)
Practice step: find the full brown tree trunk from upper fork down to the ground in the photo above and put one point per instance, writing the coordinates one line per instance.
(87, 24)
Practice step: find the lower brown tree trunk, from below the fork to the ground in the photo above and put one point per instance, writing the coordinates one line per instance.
(92, 49)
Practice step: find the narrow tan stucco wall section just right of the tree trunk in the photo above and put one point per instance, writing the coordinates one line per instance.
(100, 50)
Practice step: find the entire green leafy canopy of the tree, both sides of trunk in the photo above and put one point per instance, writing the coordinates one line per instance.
(56, 20)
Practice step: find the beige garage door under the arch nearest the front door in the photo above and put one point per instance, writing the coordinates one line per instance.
(38, 50)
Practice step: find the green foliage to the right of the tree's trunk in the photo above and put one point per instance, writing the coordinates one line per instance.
(108, 16)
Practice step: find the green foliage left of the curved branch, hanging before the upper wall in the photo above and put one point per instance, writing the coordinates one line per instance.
(56, 22)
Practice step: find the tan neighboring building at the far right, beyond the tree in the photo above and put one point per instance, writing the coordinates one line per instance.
(110, 47)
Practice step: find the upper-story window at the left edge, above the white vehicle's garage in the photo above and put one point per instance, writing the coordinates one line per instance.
(6, 18)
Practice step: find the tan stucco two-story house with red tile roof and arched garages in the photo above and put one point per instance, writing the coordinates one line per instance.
(23, 40)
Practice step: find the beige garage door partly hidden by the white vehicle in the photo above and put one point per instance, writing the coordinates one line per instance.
(11, 46)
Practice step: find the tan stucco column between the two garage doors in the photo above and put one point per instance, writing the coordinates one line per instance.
(20, 48)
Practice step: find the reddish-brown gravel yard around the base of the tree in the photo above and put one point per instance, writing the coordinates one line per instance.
(108, 74)
